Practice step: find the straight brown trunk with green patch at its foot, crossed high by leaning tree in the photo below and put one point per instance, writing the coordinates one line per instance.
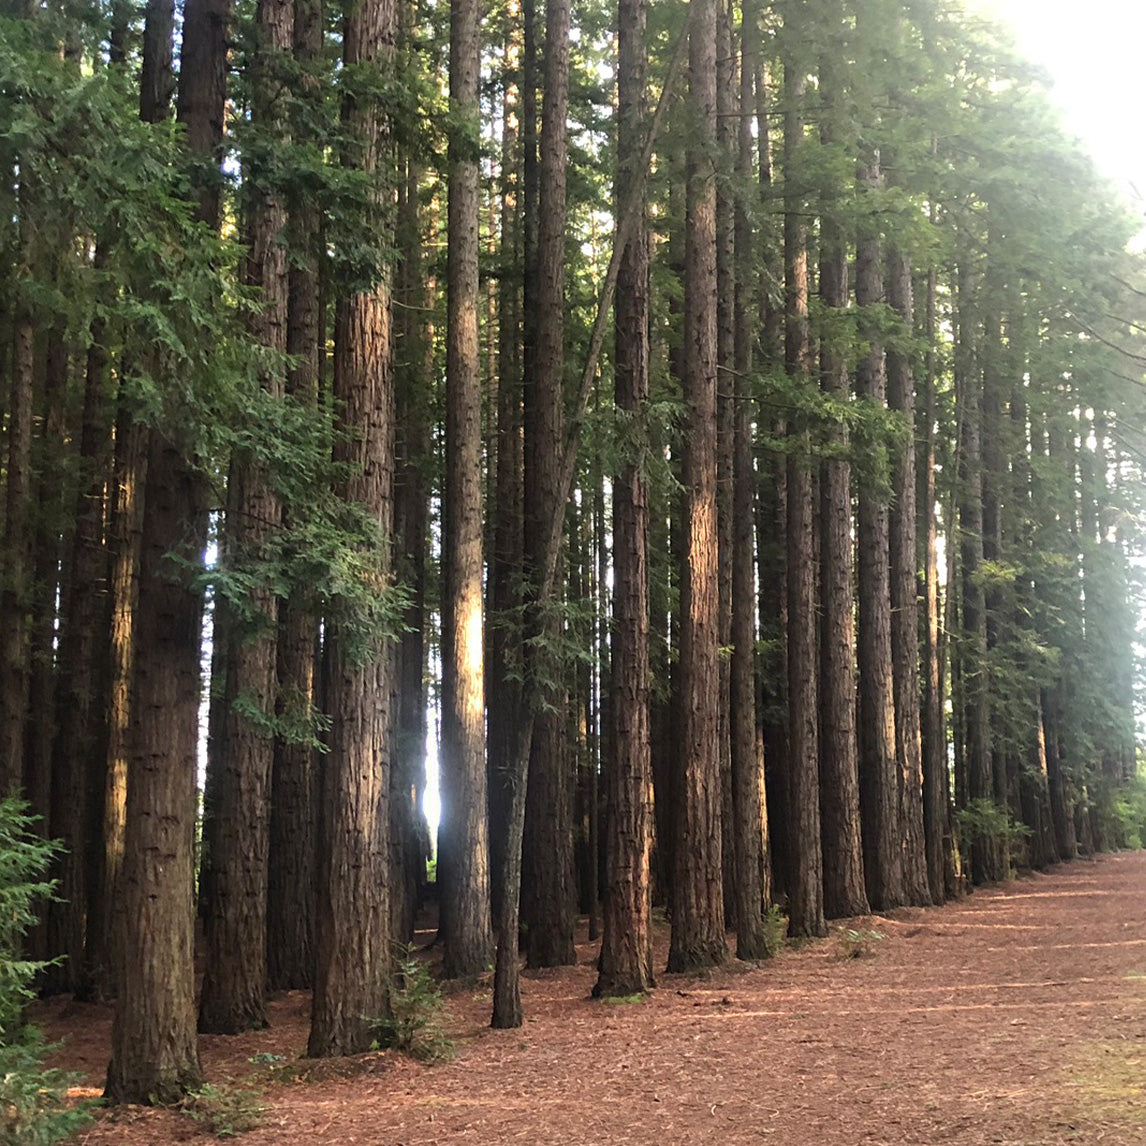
(626, 952)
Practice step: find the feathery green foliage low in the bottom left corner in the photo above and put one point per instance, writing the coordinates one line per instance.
(34, 1106)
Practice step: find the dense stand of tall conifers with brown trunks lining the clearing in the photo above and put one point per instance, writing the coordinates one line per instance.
(728, 418)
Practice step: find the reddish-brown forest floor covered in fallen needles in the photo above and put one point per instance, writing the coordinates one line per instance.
(1017, 1016)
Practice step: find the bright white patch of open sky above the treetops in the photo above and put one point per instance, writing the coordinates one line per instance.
(1094, 51)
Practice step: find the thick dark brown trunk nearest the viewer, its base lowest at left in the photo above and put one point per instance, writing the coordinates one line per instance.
(154, 1055)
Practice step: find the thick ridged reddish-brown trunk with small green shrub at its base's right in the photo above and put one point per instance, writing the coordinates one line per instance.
(351, 993)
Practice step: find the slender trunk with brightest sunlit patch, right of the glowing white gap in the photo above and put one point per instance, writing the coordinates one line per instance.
(465, 881)
